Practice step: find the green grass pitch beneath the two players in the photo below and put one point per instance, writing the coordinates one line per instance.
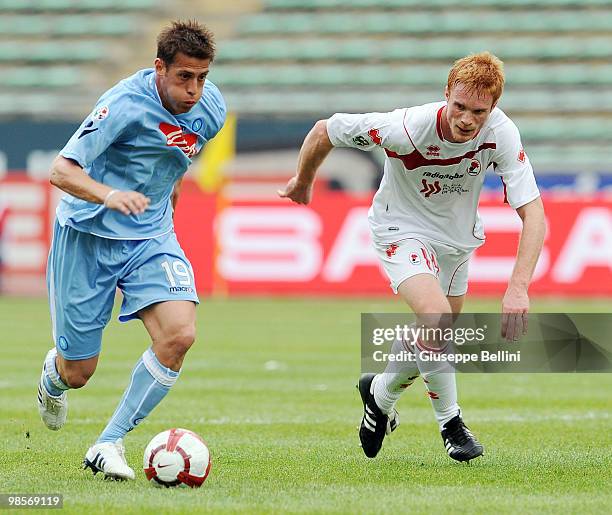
(270, 386)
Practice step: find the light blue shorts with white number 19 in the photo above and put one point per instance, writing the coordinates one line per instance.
(84, 271)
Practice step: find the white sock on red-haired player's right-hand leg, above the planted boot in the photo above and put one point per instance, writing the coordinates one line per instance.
(439, 379)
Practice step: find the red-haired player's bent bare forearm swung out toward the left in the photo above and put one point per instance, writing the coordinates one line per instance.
(314, 150)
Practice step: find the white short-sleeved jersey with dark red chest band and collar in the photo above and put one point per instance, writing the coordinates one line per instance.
(430, 186)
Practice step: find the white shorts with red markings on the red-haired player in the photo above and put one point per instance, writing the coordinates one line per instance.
(411, 256)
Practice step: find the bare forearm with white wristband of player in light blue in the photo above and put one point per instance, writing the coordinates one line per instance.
(68, 176)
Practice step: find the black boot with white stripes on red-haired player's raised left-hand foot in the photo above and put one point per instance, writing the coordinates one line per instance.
(374, 424)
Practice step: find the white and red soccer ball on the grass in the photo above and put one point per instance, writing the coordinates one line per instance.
(177, 457)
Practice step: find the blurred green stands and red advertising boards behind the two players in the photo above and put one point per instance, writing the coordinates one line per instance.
(281, 65)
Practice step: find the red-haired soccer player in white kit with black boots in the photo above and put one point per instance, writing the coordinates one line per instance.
(425, 225)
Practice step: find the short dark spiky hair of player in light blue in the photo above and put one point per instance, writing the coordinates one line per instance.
(188, 37)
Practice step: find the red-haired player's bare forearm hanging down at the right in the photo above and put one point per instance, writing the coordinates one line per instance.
(515, 304)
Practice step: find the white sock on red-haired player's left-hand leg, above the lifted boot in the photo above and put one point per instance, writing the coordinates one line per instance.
(399, 375)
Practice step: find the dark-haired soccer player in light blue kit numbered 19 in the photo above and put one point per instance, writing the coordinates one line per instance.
(122, 171)
